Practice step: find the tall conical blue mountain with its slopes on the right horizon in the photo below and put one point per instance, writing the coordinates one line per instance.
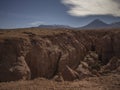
(97, 24)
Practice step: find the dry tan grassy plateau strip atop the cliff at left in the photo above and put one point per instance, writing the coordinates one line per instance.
(24, 32)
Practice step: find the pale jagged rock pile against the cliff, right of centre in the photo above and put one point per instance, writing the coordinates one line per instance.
(88, 66)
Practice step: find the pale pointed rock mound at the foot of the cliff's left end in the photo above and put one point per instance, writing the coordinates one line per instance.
(20, 69)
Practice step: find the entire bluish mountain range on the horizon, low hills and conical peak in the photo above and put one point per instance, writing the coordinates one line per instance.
(95, 24)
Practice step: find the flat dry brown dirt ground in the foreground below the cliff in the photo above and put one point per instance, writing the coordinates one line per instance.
(107, 82)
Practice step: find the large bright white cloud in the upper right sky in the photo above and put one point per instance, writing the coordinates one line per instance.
(93, 7)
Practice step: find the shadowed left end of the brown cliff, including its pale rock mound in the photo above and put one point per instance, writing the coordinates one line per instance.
(12, 62)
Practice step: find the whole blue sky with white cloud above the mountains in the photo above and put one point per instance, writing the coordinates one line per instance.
(75, 13)
